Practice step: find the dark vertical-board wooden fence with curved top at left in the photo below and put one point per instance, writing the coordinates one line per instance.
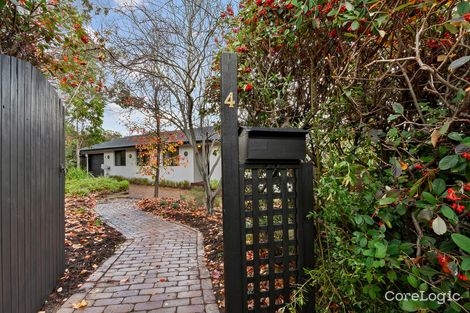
(32, 187)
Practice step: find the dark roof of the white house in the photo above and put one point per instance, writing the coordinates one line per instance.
(171, 136)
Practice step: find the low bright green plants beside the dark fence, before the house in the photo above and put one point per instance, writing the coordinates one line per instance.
(81, 184)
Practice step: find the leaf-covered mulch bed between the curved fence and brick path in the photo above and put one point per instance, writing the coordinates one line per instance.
(88, 243)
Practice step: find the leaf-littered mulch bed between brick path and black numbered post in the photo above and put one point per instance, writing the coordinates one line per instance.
(187, 212)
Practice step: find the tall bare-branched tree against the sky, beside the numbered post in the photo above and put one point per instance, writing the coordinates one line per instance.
(172, 42)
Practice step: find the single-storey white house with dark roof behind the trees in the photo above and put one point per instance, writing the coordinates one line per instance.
(120, 157)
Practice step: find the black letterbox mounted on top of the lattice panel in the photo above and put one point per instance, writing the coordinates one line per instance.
(271, 144)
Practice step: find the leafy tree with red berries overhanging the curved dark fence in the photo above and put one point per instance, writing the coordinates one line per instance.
(51, 35)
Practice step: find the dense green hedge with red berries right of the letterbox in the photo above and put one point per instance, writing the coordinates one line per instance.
(383, 88)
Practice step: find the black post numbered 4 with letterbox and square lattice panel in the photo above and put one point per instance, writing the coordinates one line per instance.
(267, 194)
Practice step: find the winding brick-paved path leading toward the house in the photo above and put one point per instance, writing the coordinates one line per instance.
(160, 268)
